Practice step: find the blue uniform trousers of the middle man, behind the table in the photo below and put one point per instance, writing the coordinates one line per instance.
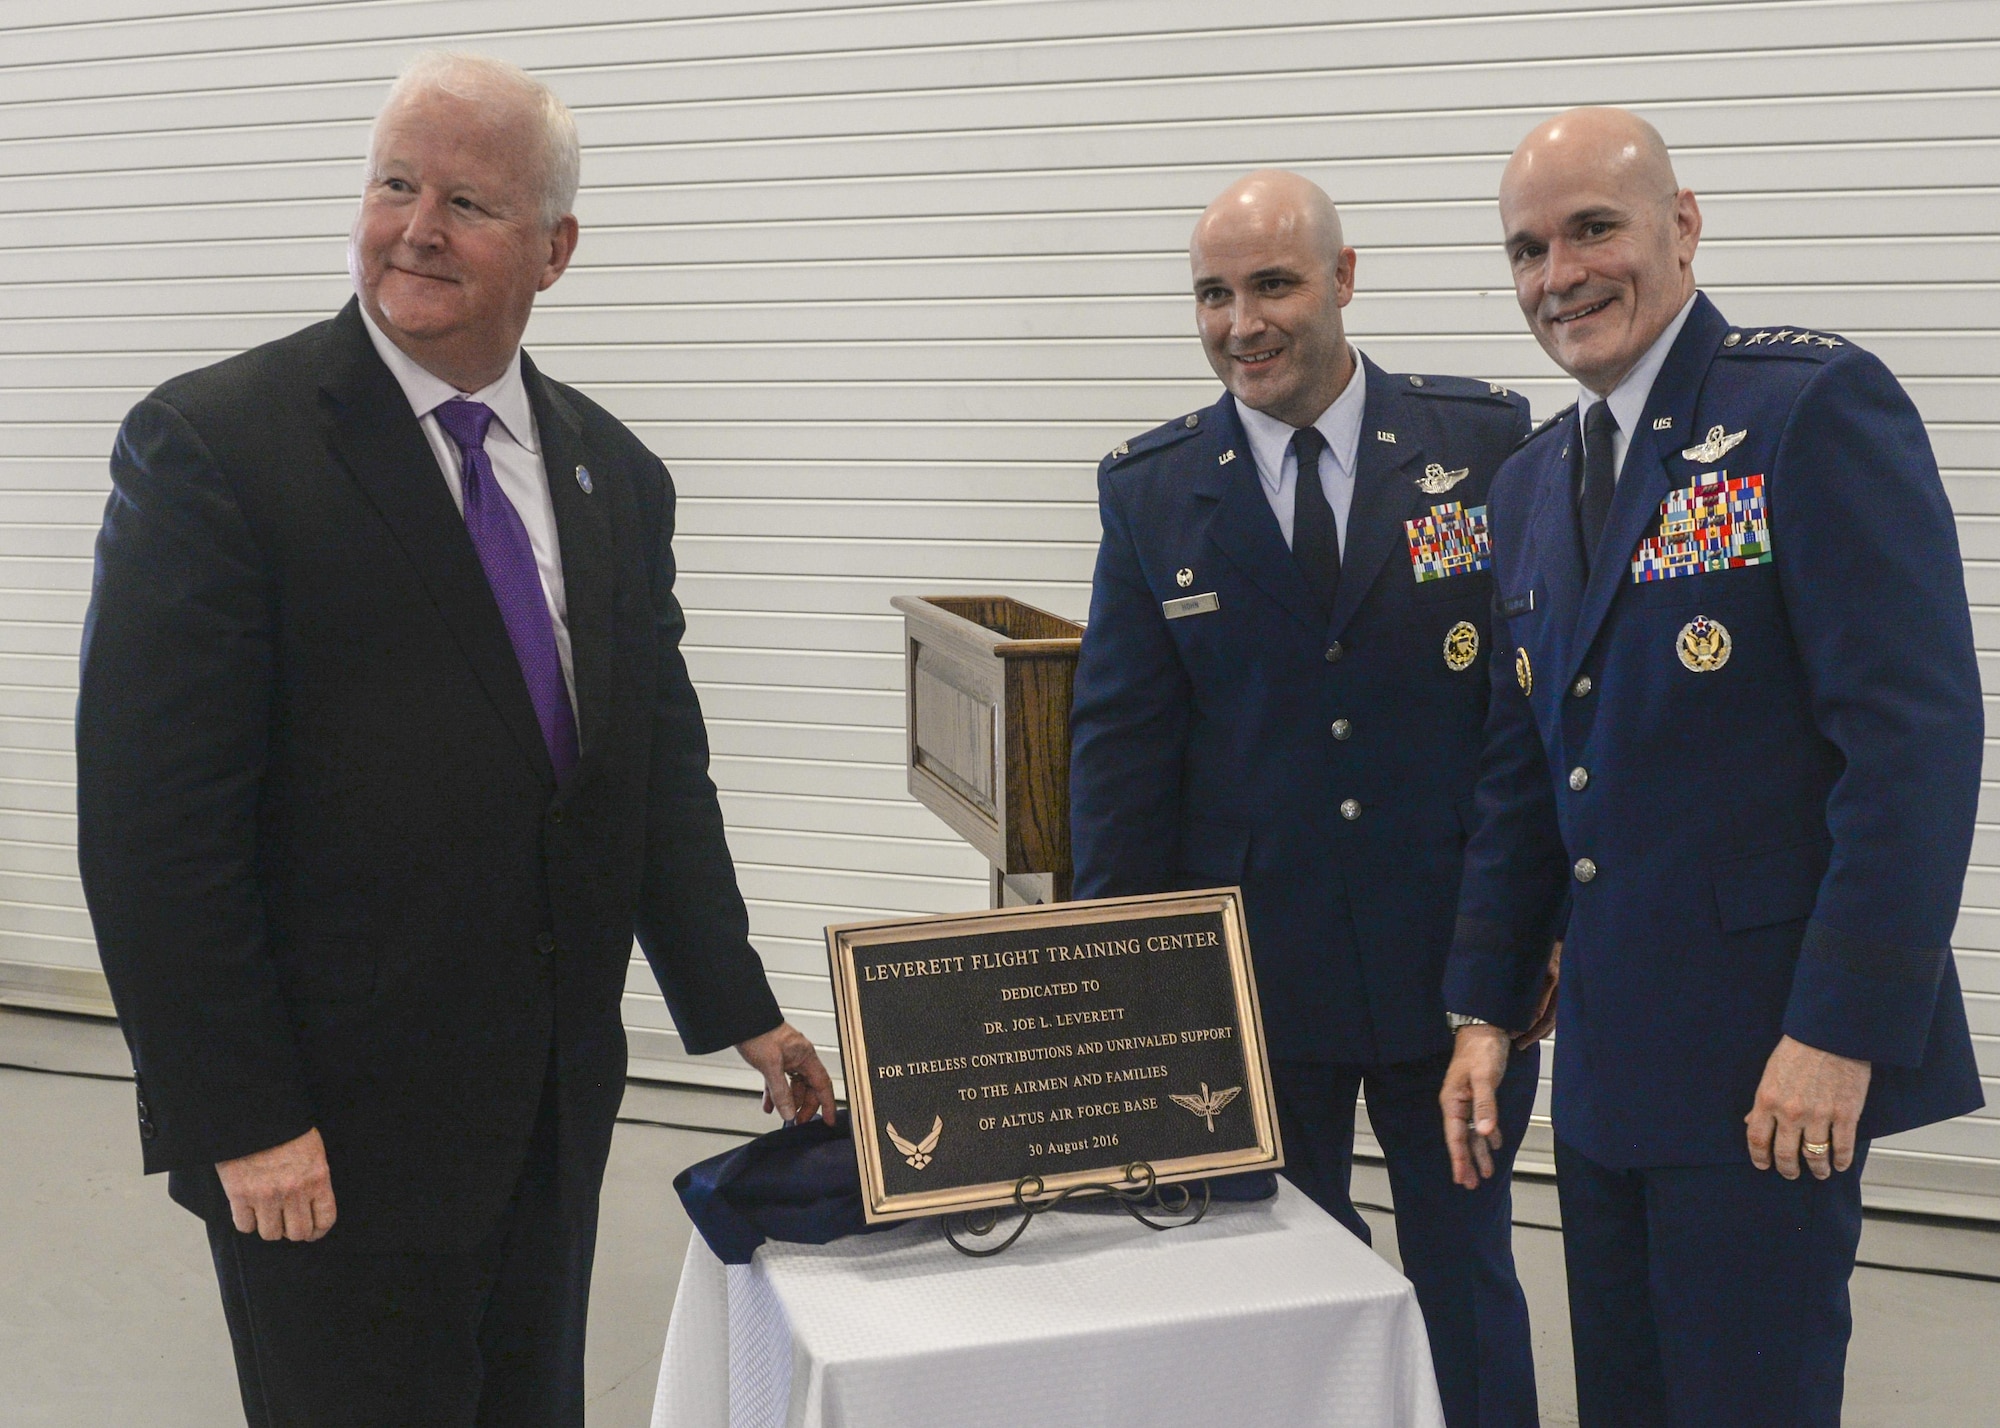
(1457, 1245)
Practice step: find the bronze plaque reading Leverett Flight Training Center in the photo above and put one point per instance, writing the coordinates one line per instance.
(1063, 1043)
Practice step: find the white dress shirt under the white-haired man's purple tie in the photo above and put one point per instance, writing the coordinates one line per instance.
(515, 451)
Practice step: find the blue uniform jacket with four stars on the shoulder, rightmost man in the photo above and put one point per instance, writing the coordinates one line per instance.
(1777, 841)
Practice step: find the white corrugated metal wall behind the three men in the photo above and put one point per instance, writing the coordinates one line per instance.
(883, 281)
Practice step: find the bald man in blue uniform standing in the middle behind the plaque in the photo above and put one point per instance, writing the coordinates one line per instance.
(1283, 687)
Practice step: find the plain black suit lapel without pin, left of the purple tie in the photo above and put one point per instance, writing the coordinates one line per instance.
(375, 435)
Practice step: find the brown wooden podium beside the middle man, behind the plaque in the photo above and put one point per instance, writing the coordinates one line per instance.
(987, 705)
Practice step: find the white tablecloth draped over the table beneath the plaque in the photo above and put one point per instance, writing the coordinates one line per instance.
(1261, 1315)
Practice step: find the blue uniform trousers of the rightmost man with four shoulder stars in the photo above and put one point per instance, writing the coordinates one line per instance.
(1709, 1297)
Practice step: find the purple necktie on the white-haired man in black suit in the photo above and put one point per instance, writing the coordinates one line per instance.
(509, 559)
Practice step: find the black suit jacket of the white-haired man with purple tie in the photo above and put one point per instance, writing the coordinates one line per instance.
(333, 877)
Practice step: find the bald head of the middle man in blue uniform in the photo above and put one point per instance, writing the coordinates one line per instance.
(1271, 277)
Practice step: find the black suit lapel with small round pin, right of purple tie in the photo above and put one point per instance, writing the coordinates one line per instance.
(585, 535)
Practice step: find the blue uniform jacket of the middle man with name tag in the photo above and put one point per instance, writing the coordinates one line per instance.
(1207, 749)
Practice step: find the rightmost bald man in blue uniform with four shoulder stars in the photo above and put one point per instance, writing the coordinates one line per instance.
(1735, 743)
